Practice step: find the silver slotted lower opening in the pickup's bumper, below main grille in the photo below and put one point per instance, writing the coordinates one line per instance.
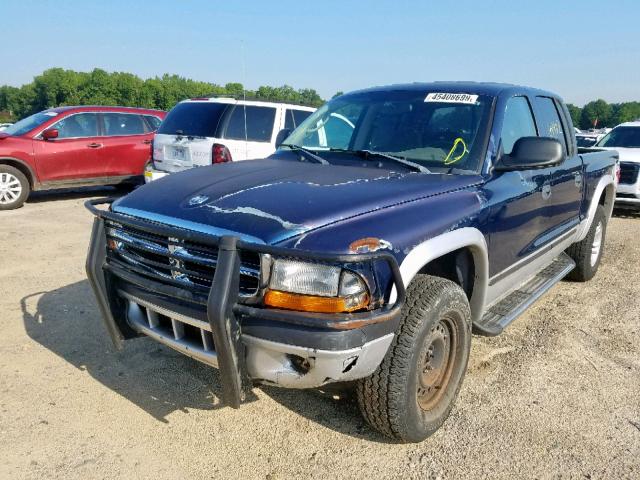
(187, 335)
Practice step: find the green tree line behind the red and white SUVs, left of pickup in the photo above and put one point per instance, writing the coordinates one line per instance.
(57, 87)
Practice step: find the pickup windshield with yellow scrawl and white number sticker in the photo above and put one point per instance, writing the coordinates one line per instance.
(436, 130)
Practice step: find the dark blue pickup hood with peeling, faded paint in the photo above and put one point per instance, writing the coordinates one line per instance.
(269, 201)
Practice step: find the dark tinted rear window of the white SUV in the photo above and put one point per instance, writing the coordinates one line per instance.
(196, 119)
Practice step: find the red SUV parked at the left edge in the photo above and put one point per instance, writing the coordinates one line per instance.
(74, 146)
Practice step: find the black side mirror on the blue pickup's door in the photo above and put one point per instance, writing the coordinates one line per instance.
(532, 152)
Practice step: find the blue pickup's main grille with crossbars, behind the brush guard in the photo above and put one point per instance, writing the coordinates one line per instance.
(174, 261)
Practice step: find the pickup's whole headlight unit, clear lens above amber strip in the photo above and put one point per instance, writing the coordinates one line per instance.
(314, 287)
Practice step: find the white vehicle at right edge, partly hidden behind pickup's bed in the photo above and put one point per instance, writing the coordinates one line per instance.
(625, 138)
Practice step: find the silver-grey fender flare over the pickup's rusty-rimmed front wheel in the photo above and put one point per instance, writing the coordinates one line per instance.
(436, 247)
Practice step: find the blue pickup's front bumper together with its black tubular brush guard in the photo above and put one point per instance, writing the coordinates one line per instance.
(245, 342)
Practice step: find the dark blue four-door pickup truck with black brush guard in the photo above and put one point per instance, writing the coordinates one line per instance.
(386, 228)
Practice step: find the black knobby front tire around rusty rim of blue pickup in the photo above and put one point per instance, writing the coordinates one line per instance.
(389, 398)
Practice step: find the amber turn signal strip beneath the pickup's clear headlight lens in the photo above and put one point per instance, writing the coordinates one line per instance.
(312, 303)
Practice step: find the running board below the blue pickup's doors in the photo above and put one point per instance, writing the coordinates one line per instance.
(496, 319)
